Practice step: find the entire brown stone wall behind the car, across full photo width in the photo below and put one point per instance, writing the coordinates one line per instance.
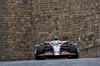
(25, 23)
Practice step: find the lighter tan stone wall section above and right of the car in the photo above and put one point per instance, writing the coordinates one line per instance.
(76, 21)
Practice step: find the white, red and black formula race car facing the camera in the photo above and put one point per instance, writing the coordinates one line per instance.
(56, 48)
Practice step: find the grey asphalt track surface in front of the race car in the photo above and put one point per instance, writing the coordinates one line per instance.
(55, 62)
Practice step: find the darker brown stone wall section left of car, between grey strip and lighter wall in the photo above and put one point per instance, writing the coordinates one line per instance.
(20, 35)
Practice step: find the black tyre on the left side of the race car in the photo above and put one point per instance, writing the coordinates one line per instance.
(38, 50)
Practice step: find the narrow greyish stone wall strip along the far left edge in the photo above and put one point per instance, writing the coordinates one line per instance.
(3, 29)
